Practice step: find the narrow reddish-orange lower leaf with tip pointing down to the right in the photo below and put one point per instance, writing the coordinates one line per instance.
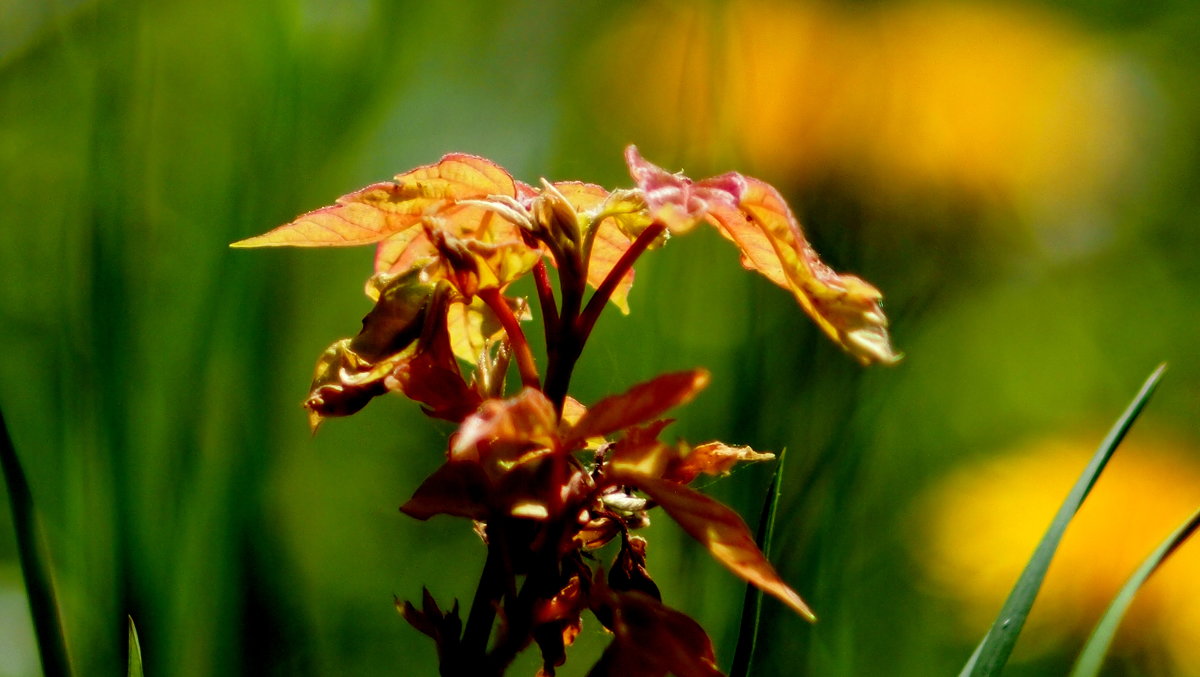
(722, 531)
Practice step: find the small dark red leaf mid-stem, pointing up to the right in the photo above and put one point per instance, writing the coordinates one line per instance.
(640, 404)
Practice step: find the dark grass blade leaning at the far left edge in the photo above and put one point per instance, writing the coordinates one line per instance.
(43, 607)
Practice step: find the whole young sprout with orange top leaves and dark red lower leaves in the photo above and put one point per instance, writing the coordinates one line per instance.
(545, 480)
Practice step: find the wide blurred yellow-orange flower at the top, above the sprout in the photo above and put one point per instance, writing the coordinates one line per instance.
(994, 101)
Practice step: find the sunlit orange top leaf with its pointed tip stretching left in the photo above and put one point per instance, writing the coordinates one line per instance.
(383, 209)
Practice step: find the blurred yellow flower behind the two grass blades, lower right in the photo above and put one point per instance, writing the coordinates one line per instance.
(981, 524)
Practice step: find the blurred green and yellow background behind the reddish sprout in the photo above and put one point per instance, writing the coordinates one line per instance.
(1019, 179)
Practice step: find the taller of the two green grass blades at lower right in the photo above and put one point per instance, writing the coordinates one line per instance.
(993, 652)
